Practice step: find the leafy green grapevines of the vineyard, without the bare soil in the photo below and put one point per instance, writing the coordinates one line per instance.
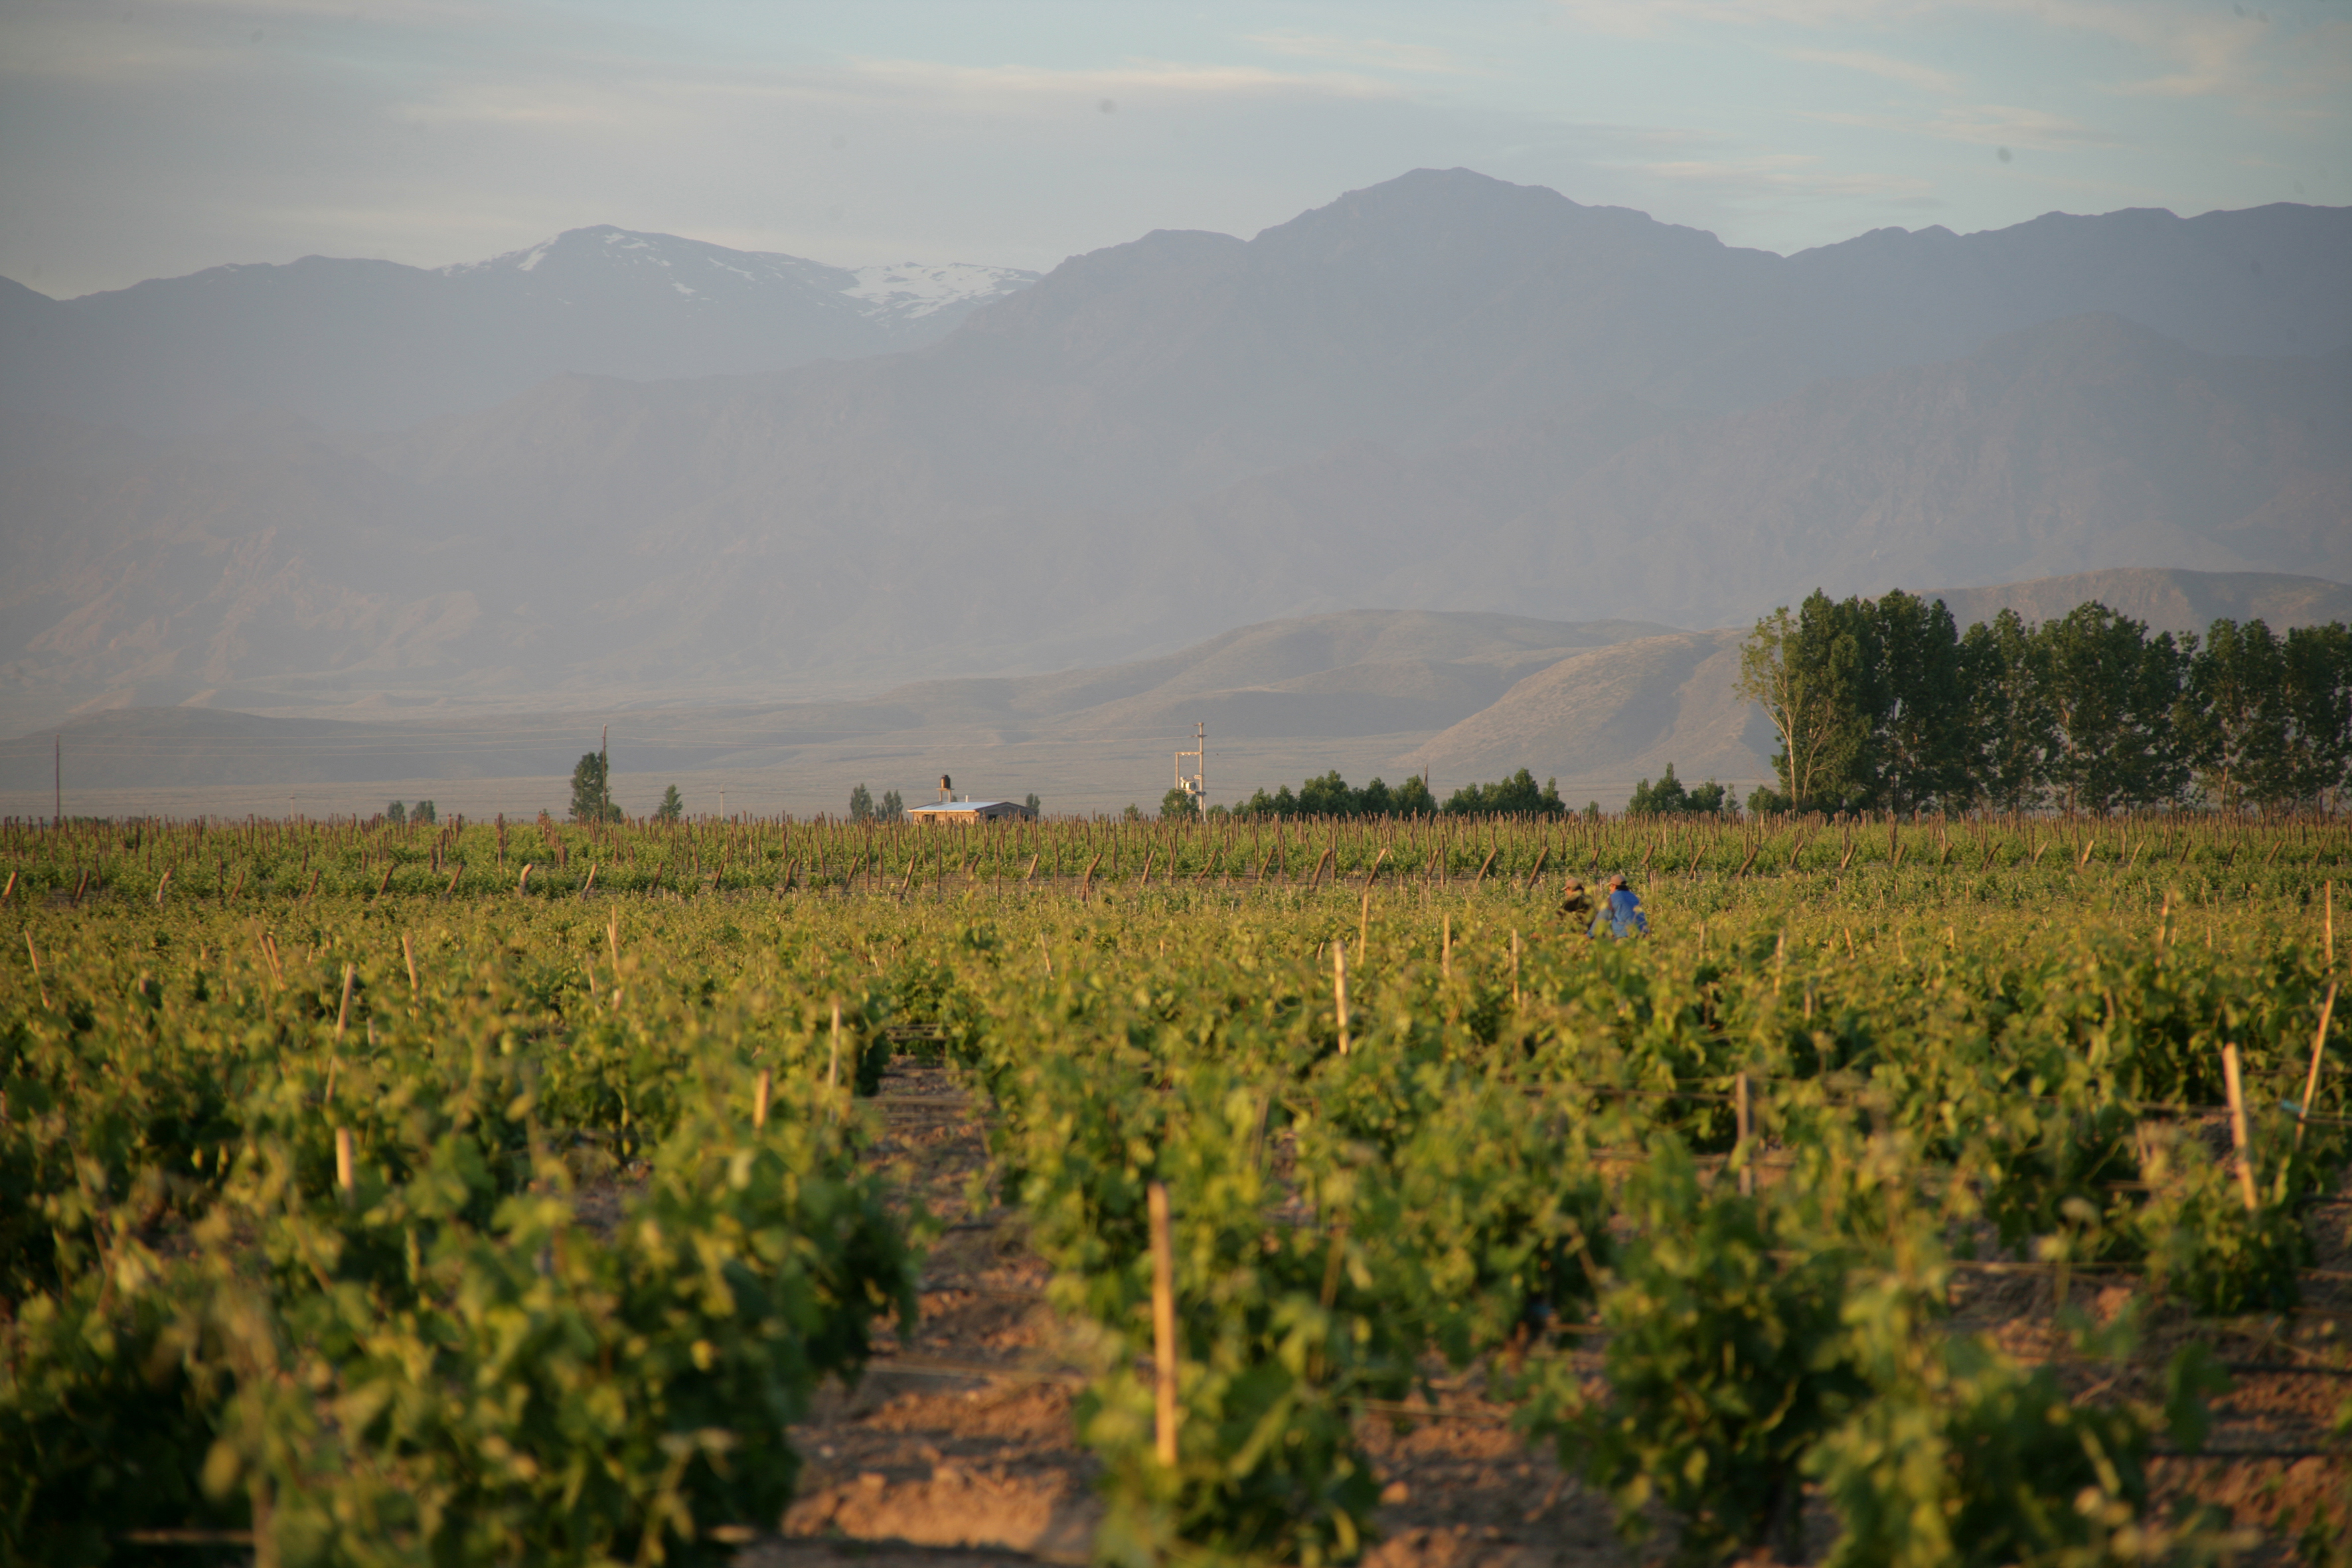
(406, 1228)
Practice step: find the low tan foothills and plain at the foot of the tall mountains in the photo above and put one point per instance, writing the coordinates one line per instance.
(1452, 695)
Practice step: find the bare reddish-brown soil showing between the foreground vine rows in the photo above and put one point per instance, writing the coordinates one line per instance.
(958, 1445)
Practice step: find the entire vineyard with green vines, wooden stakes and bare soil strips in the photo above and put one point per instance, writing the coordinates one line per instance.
(1203, 1193)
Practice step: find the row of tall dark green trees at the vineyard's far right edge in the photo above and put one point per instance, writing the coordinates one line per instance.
(1887, 706)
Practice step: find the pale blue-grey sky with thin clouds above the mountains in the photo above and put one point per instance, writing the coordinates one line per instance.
(159, 138)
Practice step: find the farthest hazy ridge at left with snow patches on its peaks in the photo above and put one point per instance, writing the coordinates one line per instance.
(375, 344)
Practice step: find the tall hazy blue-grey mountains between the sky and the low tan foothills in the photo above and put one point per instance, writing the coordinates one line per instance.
(1443, 394)
